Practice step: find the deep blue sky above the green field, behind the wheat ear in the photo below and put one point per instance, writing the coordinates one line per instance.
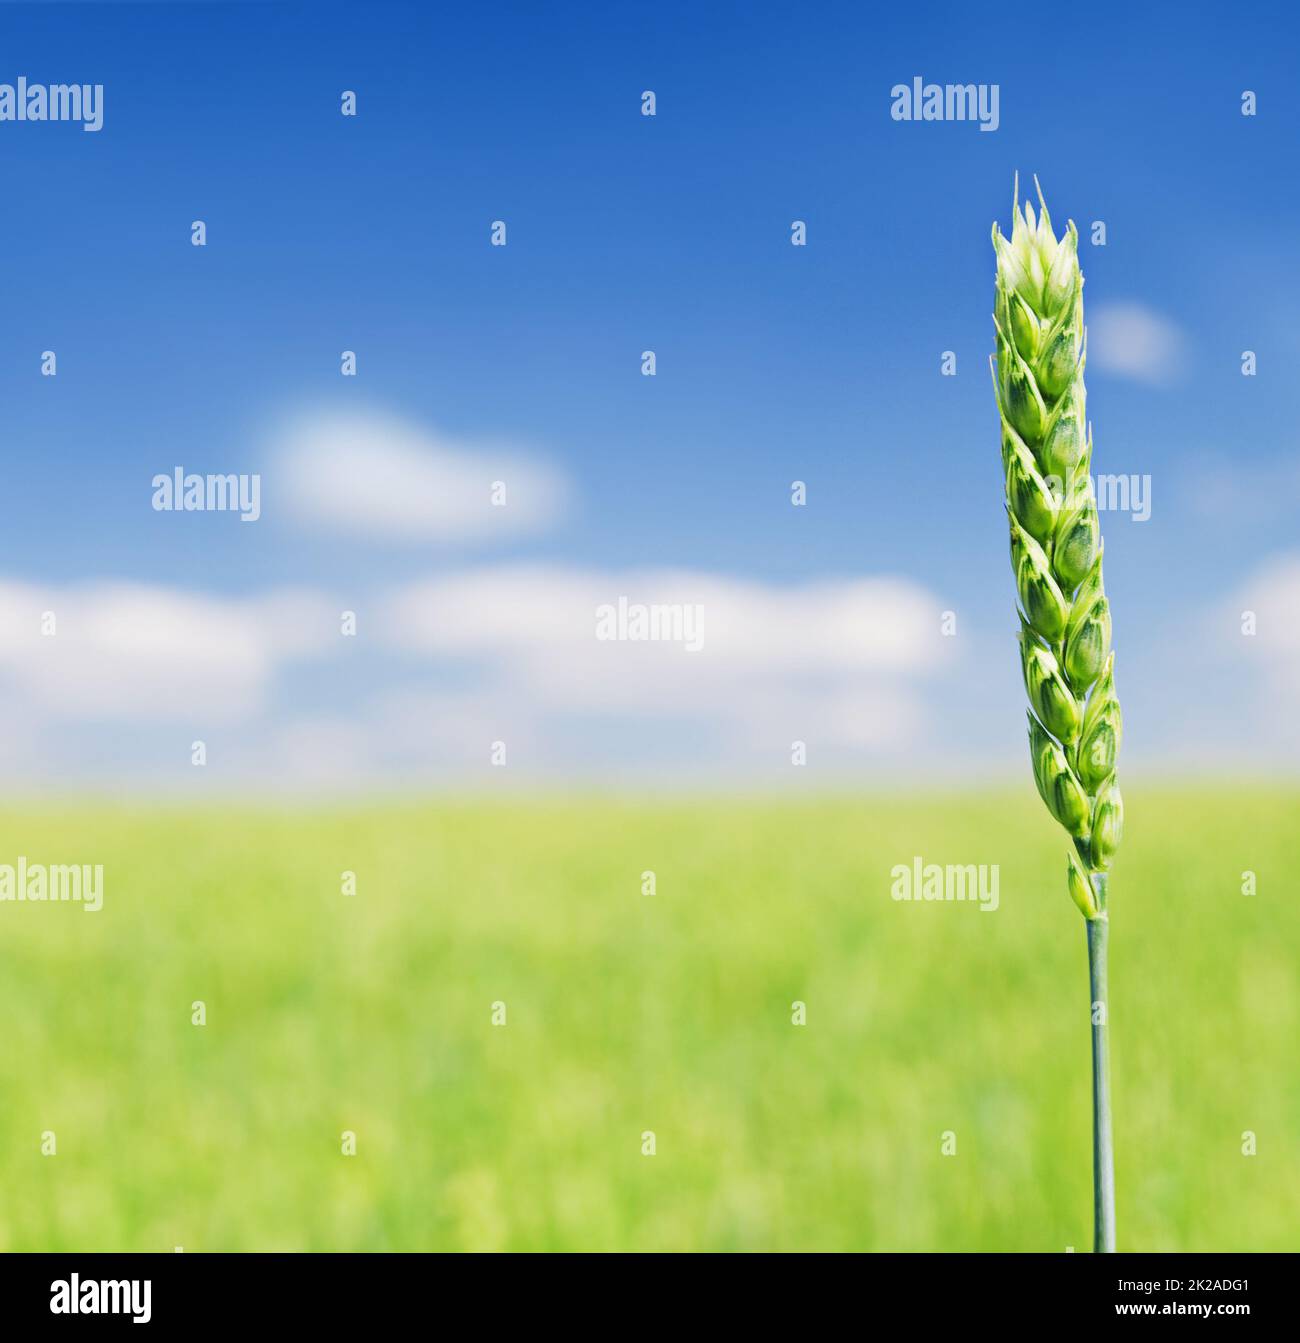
(628, 233)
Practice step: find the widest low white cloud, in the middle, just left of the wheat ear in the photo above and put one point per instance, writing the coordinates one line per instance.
(835, 659)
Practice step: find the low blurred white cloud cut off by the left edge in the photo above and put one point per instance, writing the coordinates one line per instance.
(130, 652)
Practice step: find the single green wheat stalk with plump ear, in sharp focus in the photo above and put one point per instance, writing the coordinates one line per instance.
(1075, 725)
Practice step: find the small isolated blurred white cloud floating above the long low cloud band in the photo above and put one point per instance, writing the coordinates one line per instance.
(385, 479)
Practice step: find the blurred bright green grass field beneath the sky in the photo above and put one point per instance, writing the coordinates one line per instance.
(629, 1013)
